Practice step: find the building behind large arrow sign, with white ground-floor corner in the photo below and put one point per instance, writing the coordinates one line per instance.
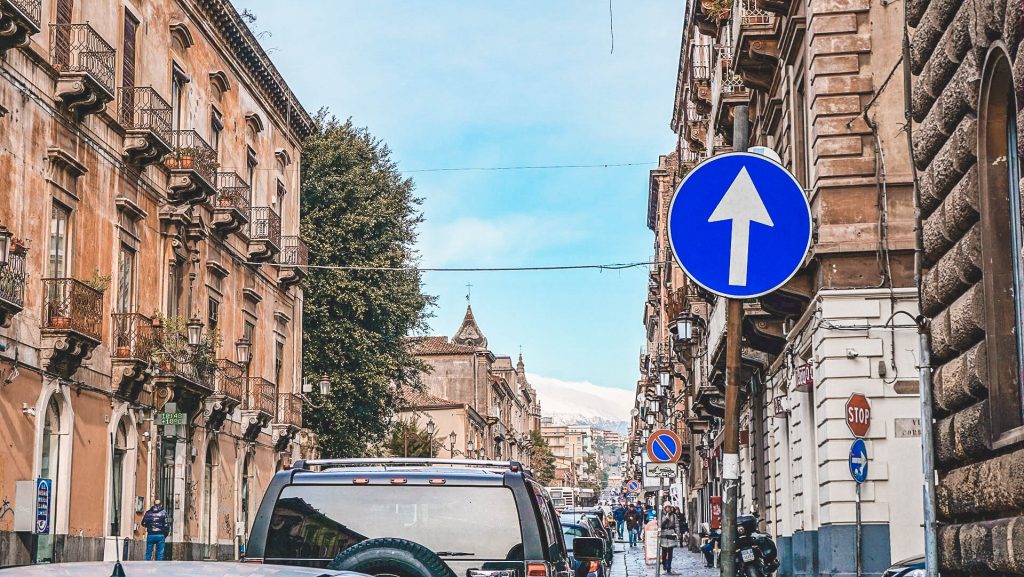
(821, 84)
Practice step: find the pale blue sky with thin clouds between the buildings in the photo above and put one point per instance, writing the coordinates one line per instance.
(481, 84)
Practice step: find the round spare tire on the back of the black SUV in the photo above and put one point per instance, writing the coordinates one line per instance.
(392, 557)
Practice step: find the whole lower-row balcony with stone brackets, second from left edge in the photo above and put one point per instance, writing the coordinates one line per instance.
(72, 324)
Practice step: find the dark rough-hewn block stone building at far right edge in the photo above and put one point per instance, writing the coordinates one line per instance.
(966, 62)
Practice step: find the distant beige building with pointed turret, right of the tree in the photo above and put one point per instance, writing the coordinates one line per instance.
(498, 405)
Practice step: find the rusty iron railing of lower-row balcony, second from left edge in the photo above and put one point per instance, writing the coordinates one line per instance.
(71, 305)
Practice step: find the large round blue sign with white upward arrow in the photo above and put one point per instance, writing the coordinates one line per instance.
(740, 225)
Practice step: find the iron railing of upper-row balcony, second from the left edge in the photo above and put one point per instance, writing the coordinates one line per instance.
(78, 49)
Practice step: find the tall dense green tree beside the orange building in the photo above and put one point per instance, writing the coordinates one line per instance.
(358, 211)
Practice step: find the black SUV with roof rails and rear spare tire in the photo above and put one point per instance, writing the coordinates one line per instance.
(415, 518)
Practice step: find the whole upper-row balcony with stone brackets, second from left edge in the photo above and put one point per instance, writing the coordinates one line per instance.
(86, 66)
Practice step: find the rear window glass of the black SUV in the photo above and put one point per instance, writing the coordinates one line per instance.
(312, 524)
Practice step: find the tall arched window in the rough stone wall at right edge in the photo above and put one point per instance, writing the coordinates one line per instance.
(999, 172)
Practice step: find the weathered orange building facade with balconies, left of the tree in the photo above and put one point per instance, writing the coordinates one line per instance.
(151, 343)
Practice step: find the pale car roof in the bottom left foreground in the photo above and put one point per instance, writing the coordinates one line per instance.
(170, 569)
